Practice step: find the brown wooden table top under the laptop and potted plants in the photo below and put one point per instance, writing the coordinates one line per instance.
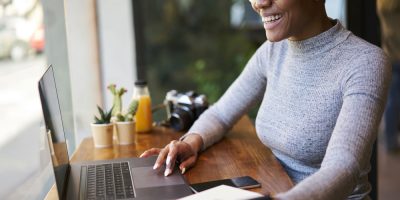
(240, 153)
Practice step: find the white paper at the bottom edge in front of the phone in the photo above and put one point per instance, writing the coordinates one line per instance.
(223, 192)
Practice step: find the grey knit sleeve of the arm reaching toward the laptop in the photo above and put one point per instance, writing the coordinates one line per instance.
(246, 90)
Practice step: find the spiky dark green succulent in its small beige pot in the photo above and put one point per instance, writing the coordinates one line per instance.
(102, 129)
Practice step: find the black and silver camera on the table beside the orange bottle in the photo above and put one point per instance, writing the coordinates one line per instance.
(184, 109)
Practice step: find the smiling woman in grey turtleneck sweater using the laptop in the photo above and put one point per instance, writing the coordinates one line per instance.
(323, 92)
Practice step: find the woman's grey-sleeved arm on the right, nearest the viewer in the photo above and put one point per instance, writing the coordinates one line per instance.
(364, 95)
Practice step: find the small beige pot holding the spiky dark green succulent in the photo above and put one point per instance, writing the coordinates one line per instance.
(102, 135)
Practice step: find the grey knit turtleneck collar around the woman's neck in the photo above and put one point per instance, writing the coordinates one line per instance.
(319, 43)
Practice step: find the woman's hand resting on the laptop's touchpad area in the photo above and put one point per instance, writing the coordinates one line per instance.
(185, 152)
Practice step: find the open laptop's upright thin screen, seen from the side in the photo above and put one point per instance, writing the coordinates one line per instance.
(54, 127)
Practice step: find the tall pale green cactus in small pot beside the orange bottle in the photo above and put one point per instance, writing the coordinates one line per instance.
(125, 125)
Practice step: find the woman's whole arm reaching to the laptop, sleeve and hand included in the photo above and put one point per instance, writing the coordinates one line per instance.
(209, 128)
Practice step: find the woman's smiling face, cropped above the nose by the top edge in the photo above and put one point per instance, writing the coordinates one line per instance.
(292, 19)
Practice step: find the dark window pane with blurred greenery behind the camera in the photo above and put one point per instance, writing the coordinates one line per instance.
(199, 45)
